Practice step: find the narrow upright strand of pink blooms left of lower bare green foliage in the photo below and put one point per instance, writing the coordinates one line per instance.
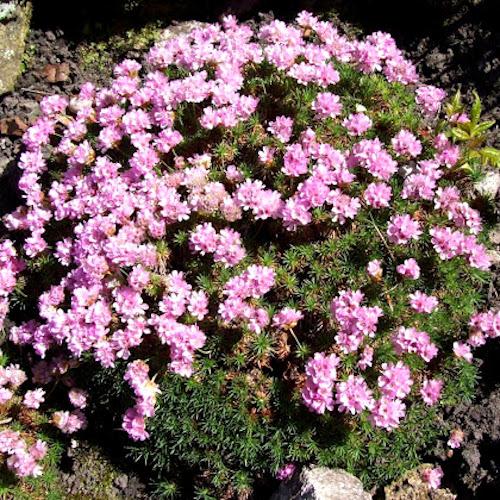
(145, 390)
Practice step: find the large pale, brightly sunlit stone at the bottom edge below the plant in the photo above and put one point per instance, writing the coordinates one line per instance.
(322, 483)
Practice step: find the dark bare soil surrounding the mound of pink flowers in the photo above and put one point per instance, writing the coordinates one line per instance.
(455, 43)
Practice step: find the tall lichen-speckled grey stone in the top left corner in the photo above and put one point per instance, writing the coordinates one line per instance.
(12, 38)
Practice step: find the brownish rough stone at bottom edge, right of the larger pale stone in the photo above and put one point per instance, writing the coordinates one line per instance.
(412, 487)
